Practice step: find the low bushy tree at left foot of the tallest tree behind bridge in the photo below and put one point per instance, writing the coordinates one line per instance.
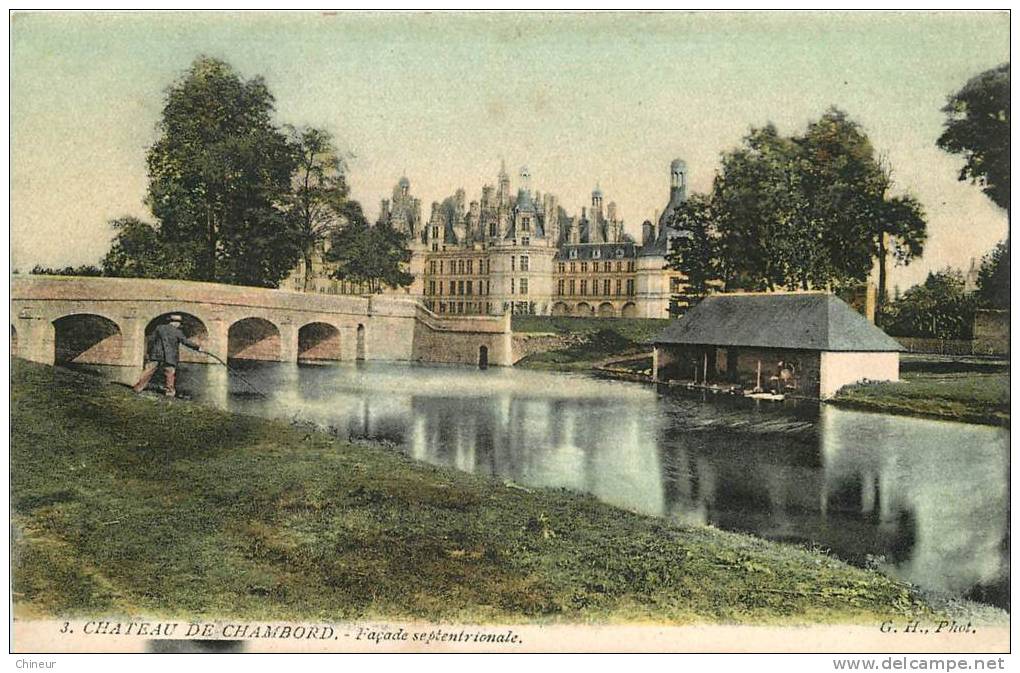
(140, 252)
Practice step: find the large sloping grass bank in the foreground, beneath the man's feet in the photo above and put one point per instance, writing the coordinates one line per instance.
(133, 505)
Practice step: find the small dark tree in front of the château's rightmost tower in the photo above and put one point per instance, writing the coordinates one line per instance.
(694, 251)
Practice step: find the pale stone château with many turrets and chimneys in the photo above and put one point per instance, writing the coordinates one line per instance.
(523, 253)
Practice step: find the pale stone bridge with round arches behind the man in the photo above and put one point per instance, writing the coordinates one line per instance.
(106, 322)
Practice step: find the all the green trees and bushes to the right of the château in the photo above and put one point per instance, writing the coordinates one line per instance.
(818, 211)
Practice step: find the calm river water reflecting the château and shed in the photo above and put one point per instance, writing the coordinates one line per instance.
(926, 501)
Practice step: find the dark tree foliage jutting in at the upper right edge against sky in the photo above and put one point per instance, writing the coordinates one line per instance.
(978, 126)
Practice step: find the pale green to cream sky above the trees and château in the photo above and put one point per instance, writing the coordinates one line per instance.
(581, 99)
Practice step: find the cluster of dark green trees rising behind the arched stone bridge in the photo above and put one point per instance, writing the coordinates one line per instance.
(238, 199)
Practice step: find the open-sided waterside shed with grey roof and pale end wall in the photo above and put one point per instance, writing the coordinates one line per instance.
(808, 344)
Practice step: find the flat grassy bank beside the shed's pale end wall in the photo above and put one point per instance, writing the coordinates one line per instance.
(960, 389)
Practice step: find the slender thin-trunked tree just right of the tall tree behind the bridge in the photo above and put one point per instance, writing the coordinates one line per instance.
(319, 192)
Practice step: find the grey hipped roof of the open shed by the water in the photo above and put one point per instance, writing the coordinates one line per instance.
(813, 322)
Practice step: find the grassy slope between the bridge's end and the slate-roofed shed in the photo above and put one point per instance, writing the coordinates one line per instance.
(599, 340)
